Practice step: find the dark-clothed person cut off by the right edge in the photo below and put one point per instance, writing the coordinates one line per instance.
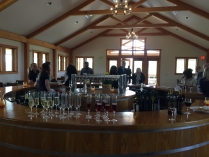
(204, 82)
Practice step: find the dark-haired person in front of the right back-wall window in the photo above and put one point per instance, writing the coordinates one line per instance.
(188, 80)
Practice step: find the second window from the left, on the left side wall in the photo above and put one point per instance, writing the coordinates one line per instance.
(40, 57)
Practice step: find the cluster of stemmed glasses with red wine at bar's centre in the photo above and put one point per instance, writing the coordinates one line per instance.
(102, 101)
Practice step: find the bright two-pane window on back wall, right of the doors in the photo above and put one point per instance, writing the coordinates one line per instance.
(183, 63)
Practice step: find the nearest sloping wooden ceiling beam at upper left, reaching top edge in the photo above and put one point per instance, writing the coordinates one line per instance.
(59, 19)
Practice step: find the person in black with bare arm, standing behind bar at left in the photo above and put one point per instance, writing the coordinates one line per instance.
(44, 83)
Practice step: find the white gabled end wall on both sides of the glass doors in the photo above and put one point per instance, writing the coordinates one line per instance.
(171, 48)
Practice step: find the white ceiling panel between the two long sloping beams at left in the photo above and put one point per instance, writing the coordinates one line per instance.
(66, 28)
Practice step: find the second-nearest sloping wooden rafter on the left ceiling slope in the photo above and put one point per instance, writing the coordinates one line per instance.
(82, 30)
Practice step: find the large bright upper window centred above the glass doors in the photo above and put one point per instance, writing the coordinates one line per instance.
(132, 47)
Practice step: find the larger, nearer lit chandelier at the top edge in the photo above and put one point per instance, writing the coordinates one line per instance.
(121, 5)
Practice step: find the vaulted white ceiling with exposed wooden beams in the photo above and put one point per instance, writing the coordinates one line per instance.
(65, 23)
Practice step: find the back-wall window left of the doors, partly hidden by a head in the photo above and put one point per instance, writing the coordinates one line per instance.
(81, 60)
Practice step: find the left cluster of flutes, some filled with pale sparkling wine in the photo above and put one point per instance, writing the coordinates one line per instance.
(50, 99)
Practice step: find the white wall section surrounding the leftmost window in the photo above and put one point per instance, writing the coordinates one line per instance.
(20, 75)
